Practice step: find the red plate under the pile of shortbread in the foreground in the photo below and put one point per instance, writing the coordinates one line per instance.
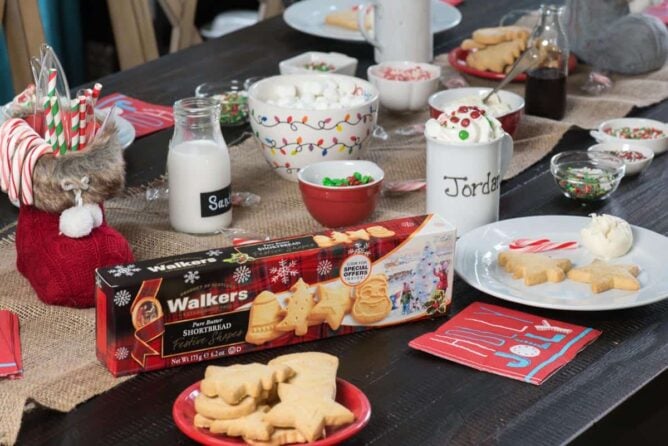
(346, 394)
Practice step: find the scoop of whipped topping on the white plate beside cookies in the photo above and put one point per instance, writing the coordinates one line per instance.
(607, 236)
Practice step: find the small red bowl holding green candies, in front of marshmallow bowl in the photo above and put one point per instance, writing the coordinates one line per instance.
(334, 207)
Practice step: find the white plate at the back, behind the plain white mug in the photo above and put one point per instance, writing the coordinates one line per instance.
(308, 16)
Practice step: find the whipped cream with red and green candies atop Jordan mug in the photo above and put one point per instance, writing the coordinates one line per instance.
(464, 124)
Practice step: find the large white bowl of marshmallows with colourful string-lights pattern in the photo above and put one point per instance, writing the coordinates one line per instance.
(300, 119)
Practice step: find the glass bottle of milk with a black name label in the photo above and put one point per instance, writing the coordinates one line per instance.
(198, 166)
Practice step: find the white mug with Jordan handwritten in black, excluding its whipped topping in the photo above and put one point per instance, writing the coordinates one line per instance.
(463, 180)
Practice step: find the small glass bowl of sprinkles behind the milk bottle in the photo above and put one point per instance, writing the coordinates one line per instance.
(233, 100)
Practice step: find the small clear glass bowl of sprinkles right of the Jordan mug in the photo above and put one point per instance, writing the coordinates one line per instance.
(587, 176)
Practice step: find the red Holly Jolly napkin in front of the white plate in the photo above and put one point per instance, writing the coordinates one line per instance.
(506, 342)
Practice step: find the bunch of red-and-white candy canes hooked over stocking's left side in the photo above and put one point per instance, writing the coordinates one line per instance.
(20, 148)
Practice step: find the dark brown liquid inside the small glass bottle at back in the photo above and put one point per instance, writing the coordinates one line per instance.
(545, 93)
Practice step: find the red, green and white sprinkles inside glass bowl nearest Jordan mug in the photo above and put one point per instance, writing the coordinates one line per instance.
(584, 183)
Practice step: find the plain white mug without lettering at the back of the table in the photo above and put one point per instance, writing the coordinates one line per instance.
(401, 30)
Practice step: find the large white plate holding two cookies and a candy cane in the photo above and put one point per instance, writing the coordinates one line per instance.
(476, 263)
